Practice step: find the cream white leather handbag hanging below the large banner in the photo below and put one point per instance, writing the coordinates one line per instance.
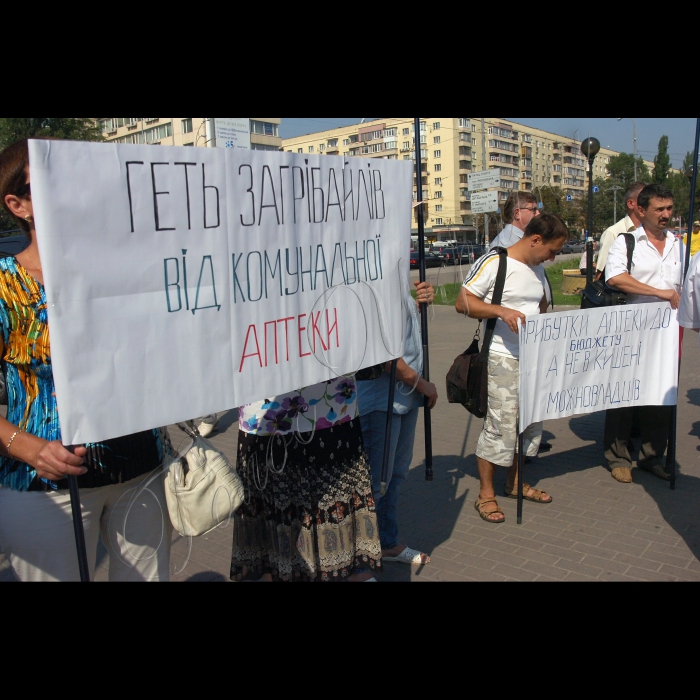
(202, 488)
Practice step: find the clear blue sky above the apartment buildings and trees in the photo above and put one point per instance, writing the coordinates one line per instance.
(610, 132)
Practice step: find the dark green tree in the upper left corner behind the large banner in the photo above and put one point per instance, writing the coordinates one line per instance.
(71, 128)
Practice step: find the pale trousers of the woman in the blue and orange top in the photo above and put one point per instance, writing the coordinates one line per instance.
(36, 532)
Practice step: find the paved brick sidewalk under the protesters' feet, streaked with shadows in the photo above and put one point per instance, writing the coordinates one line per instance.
(596, 528)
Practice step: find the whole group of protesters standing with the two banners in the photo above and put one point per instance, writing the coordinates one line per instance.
(310, 460)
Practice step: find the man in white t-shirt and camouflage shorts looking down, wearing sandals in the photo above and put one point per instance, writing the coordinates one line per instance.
(523, 295)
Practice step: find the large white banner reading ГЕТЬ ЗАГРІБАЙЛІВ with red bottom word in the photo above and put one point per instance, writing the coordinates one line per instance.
(186, 281)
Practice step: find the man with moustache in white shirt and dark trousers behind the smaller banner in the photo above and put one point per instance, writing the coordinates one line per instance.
(657, 273)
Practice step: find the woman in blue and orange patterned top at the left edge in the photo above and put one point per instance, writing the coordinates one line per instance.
(36, 530)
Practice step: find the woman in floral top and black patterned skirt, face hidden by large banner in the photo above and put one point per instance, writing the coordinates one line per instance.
(309, 513)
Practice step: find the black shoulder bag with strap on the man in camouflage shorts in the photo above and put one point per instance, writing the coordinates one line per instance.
(467, 380)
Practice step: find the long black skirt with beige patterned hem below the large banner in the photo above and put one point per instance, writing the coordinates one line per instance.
(309, 512)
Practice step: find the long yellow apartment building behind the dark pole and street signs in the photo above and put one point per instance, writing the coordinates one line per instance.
(529, 159)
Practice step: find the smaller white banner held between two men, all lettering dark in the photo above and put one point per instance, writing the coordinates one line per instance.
(583, 361)
